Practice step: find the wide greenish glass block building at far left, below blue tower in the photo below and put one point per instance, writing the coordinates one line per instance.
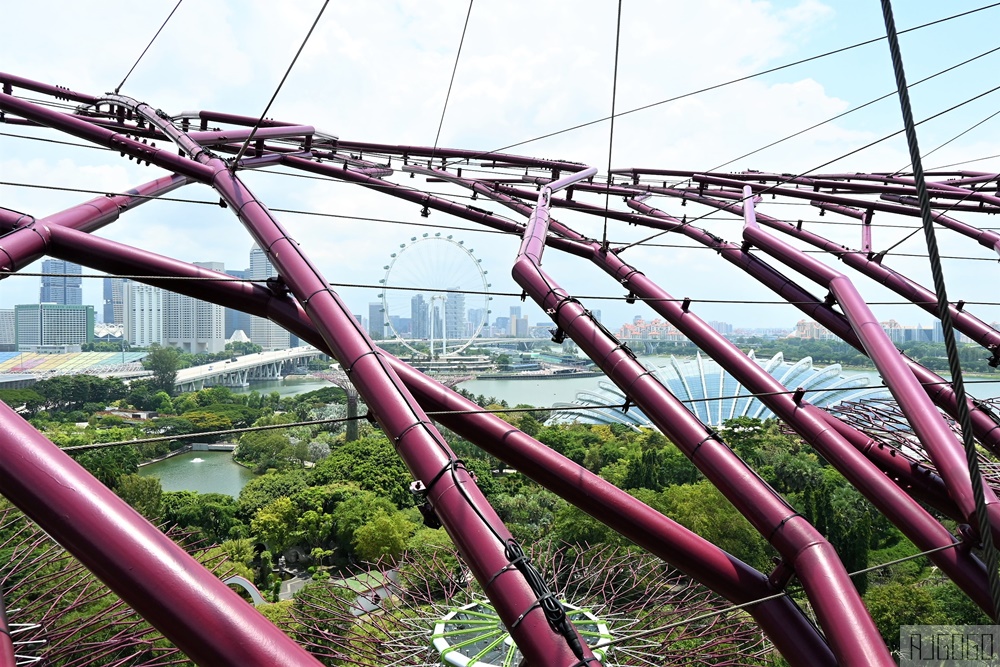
(52, 326)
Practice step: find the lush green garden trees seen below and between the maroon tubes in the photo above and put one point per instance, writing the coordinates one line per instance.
(328, 504)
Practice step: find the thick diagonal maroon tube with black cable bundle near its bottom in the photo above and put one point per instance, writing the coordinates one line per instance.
(472, 523)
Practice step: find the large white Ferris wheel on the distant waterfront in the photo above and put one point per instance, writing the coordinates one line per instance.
(435, 297)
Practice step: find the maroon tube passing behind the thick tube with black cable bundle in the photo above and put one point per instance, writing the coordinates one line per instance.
(794, 636)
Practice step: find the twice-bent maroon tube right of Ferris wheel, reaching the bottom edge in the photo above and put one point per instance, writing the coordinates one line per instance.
(853, 636)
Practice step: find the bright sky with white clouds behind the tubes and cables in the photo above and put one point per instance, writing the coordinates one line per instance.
(379, 71)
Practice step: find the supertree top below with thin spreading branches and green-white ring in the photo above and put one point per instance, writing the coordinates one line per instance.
(428, 611)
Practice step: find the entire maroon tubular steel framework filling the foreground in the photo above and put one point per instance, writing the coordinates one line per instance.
(102, 531)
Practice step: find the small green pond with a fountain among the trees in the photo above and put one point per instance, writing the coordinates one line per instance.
(204, 472)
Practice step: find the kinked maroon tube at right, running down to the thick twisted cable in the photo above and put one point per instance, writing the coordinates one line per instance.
(927, 423)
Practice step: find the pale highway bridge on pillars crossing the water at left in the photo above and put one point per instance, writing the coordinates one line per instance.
(241, 371)
